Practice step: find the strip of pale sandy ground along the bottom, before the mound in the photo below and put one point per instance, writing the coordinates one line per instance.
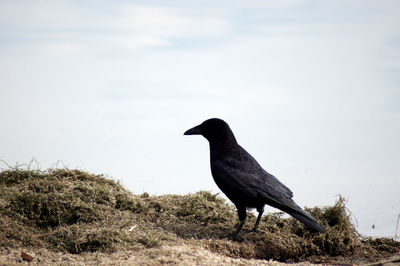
(171, 254)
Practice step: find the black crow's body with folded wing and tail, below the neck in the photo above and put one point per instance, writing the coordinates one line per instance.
(244, 181)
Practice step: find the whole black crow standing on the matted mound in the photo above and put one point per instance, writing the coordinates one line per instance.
(243, 180)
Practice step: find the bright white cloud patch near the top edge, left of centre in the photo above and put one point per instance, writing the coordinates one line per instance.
(163, 24)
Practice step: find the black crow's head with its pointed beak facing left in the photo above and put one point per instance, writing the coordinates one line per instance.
(214, 130)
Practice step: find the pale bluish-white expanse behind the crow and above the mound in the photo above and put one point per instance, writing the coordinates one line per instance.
(310, 88)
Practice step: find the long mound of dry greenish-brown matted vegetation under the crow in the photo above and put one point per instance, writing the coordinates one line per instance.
(74, 211)
